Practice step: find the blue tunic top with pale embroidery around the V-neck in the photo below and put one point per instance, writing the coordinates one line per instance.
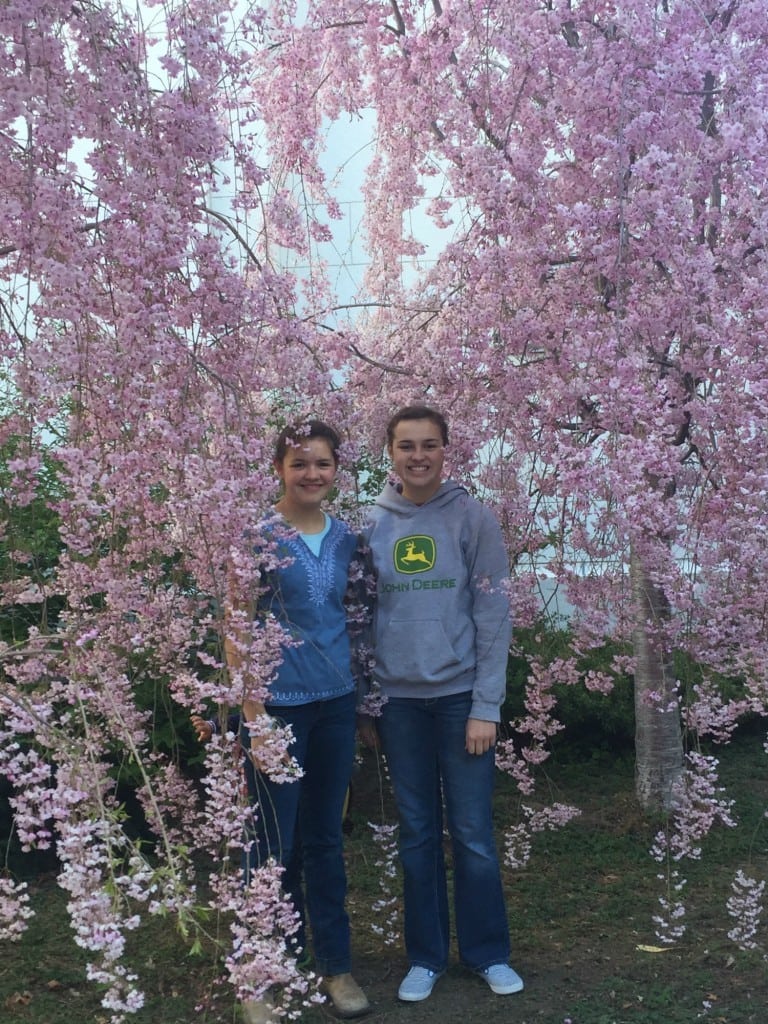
(308, 599)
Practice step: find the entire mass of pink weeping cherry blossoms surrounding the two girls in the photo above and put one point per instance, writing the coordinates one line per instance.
(593, 322)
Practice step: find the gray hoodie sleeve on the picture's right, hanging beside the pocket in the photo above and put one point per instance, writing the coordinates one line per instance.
(491, 613)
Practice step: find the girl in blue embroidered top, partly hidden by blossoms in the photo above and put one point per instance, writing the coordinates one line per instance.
(314, 692)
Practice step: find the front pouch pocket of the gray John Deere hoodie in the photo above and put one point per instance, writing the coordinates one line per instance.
(416, 650)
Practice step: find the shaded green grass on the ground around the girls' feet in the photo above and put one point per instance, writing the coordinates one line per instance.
(580, 915)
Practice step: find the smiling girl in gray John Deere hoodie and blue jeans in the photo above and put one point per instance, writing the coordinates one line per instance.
(442, 634)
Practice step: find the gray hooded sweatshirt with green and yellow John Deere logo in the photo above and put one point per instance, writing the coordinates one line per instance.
(442, 623)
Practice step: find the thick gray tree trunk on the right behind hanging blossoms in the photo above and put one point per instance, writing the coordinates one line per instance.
(659, 744)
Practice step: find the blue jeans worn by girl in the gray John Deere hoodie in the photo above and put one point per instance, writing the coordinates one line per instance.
(424, 744)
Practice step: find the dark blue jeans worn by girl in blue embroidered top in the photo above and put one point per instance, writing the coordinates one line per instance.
(300, 824)
